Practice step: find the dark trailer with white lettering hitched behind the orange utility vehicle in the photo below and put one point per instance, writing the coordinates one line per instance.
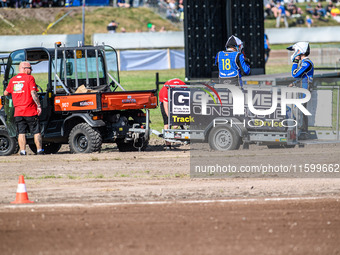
(214, 122)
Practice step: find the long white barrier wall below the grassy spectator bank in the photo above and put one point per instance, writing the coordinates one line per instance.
(163, 40)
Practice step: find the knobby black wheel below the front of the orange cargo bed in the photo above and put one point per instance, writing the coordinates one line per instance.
(84, 139)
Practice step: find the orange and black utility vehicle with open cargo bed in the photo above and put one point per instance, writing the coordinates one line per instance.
(83, 104)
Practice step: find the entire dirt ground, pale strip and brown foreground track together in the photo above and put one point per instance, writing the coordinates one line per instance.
(94, 204)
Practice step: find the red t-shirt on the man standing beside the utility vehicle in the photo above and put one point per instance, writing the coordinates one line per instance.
(20, 87)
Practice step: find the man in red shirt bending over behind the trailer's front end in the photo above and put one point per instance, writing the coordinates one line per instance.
(164, 103)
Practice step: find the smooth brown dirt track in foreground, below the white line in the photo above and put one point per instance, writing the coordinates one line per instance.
(285, 227)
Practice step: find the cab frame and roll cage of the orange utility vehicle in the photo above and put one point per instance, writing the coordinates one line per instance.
(70, 67)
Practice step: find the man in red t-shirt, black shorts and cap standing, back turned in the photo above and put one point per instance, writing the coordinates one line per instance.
(27, 106)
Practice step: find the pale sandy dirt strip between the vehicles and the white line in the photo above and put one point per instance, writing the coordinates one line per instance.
(157, 175)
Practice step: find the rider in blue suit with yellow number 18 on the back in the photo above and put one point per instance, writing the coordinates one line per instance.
(231, 63)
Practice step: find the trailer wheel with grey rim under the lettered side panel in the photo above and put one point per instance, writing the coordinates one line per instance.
(224, 138)
